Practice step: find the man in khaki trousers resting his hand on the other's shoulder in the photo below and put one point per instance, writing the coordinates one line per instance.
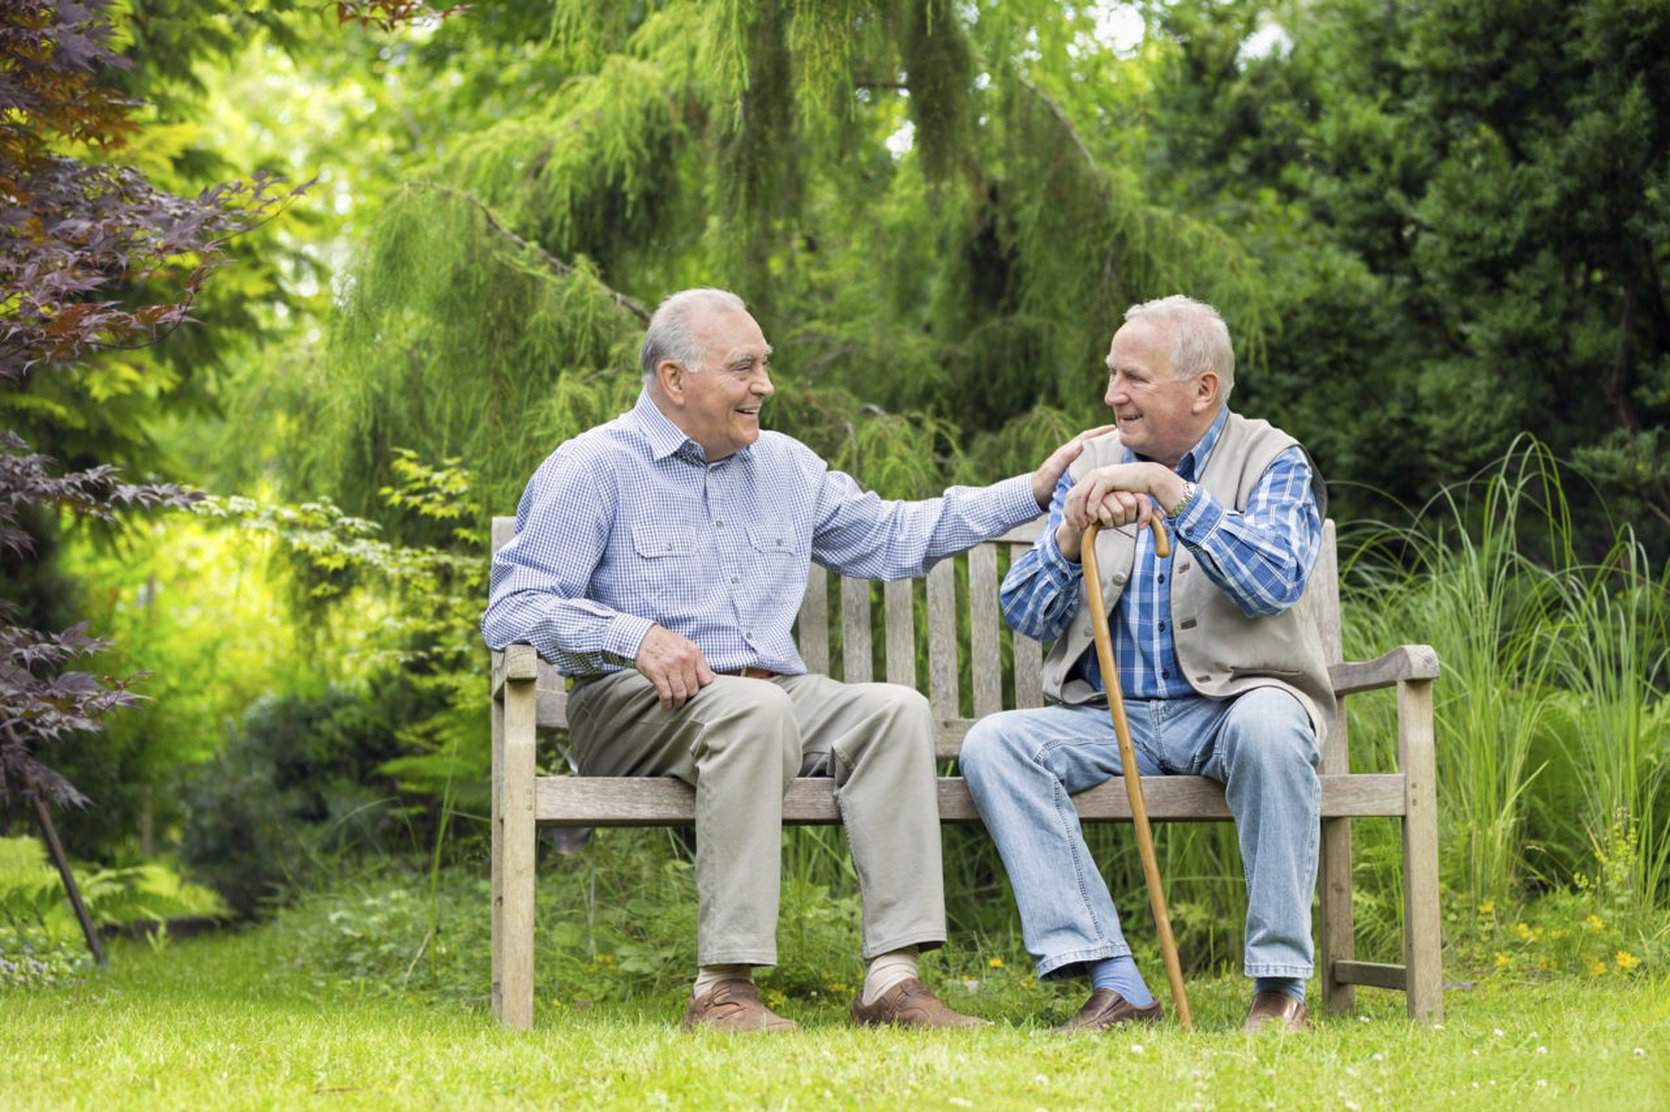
(660, 560)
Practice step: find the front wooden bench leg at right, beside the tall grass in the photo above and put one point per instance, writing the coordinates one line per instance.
(1422, 941)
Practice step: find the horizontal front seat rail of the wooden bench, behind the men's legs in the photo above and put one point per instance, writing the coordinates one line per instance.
(667, 802)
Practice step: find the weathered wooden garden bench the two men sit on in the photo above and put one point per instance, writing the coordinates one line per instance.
(530, 697)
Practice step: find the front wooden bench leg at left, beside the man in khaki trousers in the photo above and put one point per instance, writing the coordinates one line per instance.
(514, 856)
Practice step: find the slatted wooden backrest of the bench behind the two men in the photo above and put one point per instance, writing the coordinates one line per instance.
(859, 630)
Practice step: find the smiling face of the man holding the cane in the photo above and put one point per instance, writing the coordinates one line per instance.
(1160, 415)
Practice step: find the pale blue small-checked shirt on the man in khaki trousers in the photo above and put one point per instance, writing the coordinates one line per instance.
(629, 527)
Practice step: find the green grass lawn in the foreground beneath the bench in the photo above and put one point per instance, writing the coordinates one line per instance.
(235, 1023)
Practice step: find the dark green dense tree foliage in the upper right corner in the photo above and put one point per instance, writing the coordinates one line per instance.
(1464, 213)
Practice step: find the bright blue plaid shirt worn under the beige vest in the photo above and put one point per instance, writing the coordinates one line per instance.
(1262, 559)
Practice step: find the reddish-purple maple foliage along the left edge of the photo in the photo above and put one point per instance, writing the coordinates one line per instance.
(86, 246)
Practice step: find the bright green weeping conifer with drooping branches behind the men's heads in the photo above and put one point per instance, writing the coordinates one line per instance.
(933, 213)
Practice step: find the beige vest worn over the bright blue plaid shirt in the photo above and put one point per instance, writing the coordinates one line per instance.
(1222, 650)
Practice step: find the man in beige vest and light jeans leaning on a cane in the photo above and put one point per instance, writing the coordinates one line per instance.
(1220, 665)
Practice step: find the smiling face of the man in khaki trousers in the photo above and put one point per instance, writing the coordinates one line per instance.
(719, 405)
